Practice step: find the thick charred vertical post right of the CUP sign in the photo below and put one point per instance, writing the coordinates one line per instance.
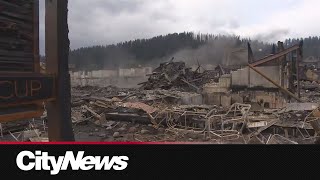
(57, 52)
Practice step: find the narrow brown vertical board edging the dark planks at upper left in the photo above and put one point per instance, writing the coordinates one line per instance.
(36, 53)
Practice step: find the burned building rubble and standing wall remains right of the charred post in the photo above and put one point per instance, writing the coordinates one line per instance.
(261, 101)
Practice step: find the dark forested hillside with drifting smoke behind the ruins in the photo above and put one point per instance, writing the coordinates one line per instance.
(206, 48)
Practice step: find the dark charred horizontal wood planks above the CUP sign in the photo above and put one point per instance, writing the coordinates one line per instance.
(17, 35)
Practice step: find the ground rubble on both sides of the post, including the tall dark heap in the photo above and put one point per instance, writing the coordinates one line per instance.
(169, 108)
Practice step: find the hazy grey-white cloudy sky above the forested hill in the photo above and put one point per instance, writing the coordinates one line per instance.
(100, 22)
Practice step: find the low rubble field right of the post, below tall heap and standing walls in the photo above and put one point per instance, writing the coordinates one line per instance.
(159, 116)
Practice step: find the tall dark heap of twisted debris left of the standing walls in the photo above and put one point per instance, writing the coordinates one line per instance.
(176, 75)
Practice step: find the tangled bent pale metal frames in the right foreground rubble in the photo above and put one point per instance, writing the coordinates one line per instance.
(240, 123)
